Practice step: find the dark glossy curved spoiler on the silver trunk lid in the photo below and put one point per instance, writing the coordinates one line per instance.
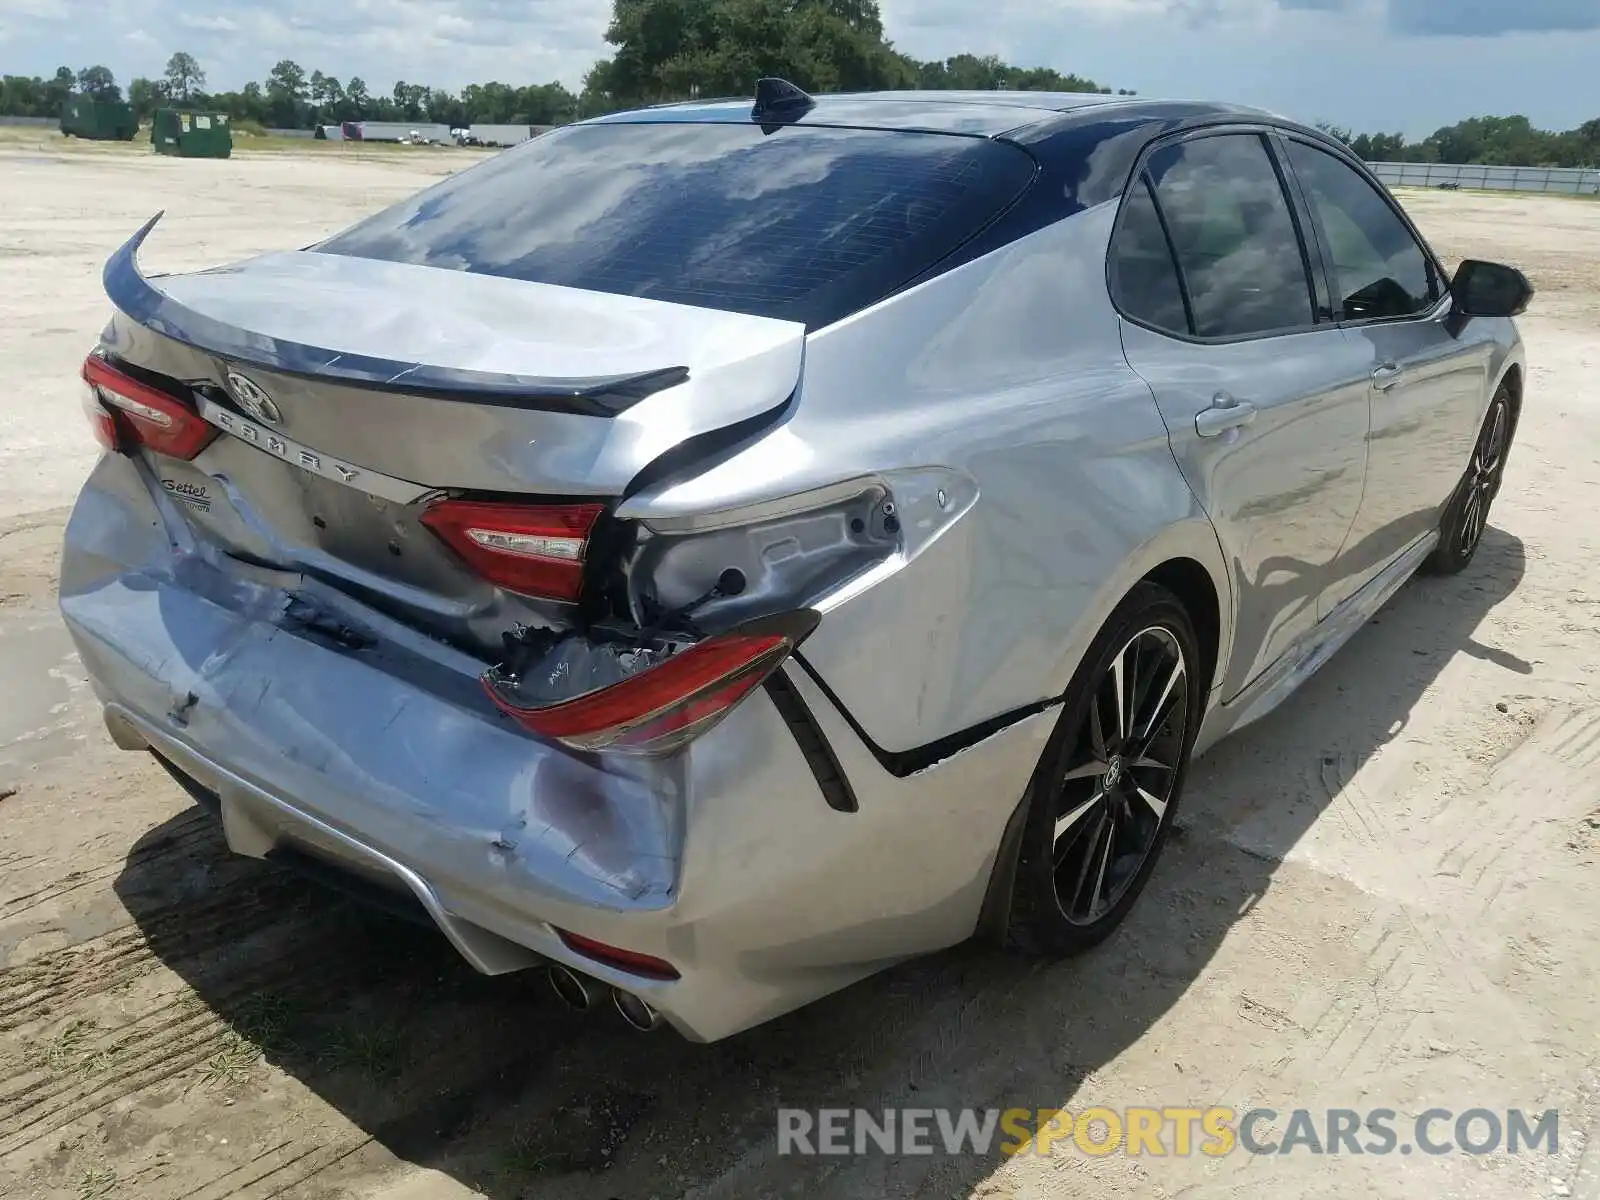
(142, 302)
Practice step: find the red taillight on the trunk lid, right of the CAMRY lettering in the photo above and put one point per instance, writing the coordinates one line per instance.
(534, 550)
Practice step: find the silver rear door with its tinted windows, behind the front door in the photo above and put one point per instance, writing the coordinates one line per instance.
(1265, 402)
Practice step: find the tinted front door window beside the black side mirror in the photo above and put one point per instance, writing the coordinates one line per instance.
(1378, 268)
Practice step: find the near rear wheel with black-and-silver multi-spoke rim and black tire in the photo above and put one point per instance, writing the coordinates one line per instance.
(1103, 804)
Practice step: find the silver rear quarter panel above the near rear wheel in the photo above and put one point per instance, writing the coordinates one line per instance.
(998, 372)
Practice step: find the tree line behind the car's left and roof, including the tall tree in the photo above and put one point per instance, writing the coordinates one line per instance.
(665, 50)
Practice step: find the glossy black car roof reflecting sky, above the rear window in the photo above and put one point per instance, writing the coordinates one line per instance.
(986, 114)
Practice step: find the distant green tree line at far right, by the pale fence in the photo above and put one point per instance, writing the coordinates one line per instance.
(1506, 142)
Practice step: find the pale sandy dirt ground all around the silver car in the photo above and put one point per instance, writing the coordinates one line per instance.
(1382, 897)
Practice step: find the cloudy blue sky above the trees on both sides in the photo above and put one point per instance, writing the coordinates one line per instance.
(1370, 65)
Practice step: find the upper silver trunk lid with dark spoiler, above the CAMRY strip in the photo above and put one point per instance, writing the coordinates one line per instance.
(452, 380)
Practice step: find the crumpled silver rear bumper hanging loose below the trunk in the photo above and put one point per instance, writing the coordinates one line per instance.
(380, 754)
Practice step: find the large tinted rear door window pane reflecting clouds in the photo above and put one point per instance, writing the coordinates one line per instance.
(1234, 236)
